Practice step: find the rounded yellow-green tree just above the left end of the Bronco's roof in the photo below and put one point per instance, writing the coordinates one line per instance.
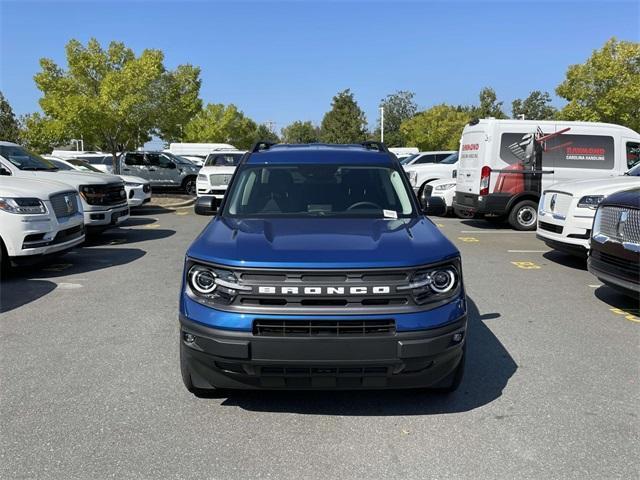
(218, 123)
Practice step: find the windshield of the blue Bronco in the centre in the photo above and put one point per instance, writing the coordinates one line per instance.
(319, 190)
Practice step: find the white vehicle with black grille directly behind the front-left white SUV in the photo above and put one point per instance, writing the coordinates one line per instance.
(103, 197)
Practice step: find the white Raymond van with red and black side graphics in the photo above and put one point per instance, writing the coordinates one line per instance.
(496, 178)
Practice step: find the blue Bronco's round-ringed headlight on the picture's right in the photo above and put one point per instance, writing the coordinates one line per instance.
(434, 284)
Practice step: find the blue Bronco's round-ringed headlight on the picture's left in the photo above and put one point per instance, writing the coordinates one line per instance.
(210, 285)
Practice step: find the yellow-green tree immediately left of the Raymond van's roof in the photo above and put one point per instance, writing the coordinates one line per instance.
(438, 128)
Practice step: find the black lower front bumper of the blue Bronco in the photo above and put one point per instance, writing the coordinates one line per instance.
(241, 360)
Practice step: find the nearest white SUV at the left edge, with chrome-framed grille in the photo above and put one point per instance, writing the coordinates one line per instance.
(37, 217)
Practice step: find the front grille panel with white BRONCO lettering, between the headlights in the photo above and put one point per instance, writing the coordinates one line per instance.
(364, 291)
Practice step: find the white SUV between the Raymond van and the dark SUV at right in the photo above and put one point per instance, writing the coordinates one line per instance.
(566, 210)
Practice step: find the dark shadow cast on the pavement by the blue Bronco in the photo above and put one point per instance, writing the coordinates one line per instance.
(488, 370)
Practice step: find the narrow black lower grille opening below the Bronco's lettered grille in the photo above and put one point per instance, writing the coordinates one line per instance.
(323, 328)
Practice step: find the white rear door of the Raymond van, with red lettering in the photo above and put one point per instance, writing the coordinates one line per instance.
(472, 151)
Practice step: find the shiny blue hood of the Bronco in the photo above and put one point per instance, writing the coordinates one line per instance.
(322, 243)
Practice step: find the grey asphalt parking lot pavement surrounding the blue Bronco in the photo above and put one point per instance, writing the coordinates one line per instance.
(90, 384)
